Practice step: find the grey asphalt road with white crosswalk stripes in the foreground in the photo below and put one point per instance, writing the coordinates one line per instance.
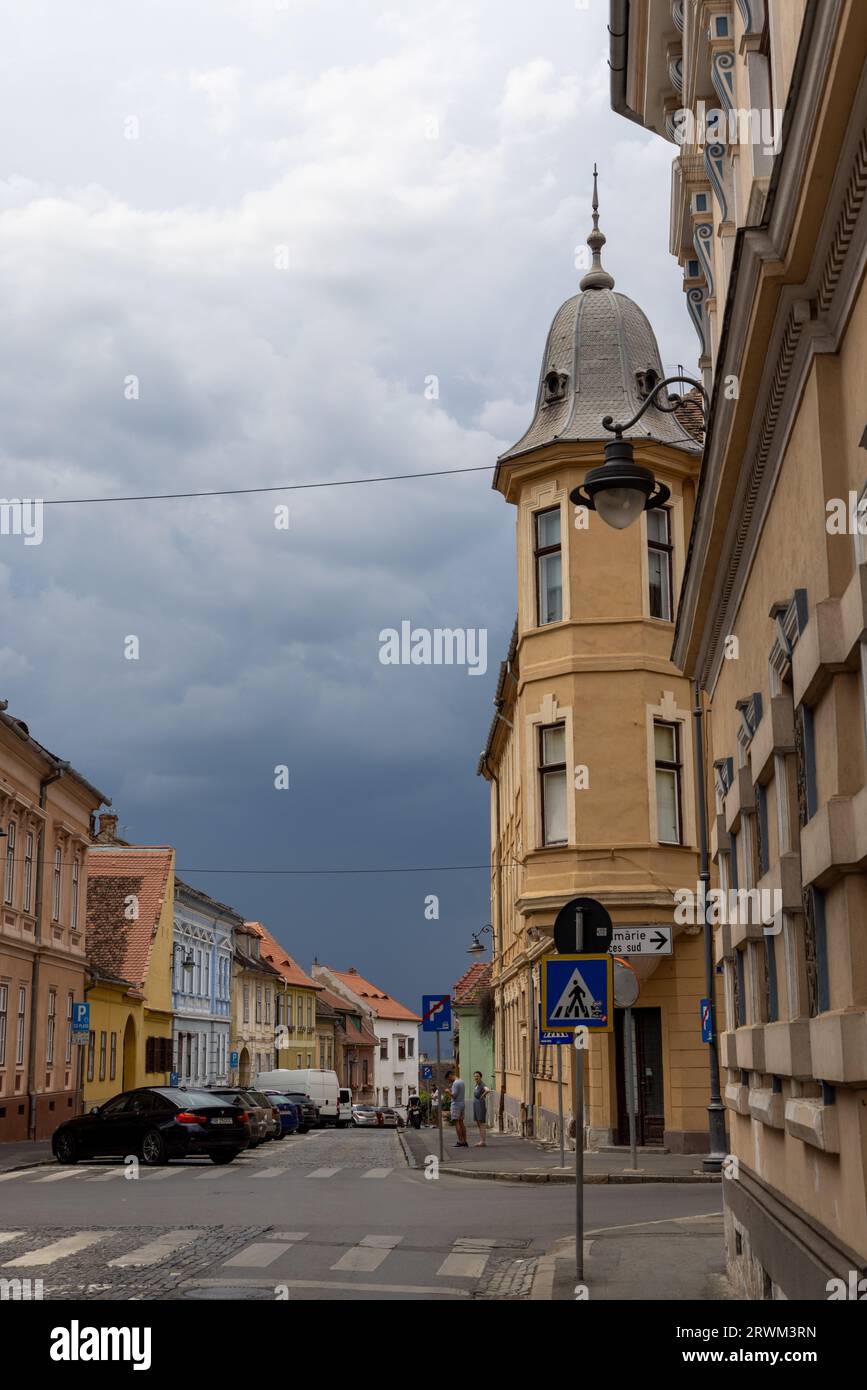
(326, 1216)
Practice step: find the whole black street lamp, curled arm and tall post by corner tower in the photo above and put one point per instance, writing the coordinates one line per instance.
(620, 491)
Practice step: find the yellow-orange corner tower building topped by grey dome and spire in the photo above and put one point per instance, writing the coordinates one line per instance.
(590, 751)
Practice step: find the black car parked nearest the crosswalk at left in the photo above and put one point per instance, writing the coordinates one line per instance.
(156, 1124)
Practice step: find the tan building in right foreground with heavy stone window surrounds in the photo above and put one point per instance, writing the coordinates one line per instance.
(773, 616)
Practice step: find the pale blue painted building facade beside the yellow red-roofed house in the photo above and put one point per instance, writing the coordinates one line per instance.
(202, 986)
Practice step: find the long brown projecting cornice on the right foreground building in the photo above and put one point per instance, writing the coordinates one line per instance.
(782, 325)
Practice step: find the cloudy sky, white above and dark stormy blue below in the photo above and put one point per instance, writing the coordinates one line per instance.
(329, 202)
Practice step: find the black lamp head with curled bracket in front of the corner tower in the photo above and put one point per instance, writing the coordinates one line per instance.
(622, 490)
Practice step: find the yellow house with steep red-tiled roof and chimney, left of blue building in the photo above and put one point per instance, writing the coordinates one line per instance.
(130, 956)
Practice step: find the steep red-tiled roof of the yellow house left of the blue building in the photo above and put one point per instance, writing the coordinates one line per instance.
(117, 946)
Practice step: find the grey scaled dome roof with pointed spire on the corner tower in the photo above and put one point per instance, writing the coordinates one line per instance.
(598, 358)
